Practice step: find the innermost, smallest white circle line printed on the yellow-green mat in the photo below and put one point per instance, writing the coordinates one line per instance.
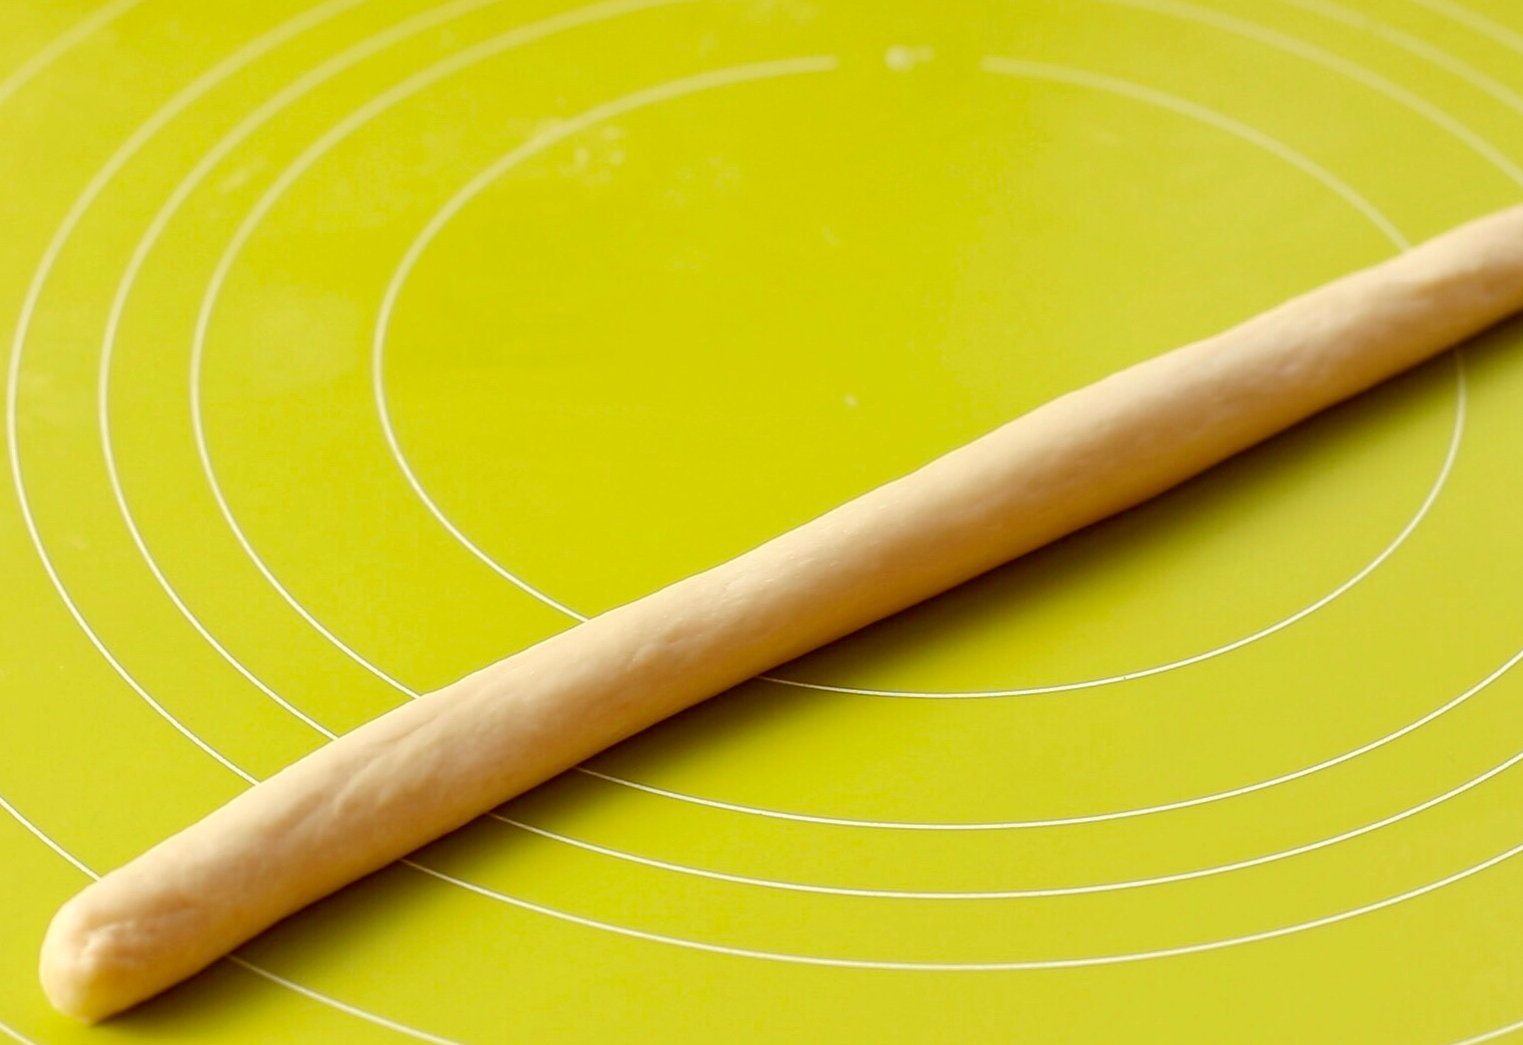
(1009, 68)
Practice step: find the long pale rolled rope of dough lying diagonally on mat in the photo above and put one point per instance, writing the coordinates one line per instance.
(432, 765)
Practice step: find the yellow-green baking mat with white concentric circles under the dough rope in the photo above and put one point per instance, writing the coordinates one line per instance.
(351, 347)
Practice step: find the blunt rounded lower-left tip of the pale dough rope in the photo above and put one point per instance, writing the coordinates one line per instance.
(88, 970)
